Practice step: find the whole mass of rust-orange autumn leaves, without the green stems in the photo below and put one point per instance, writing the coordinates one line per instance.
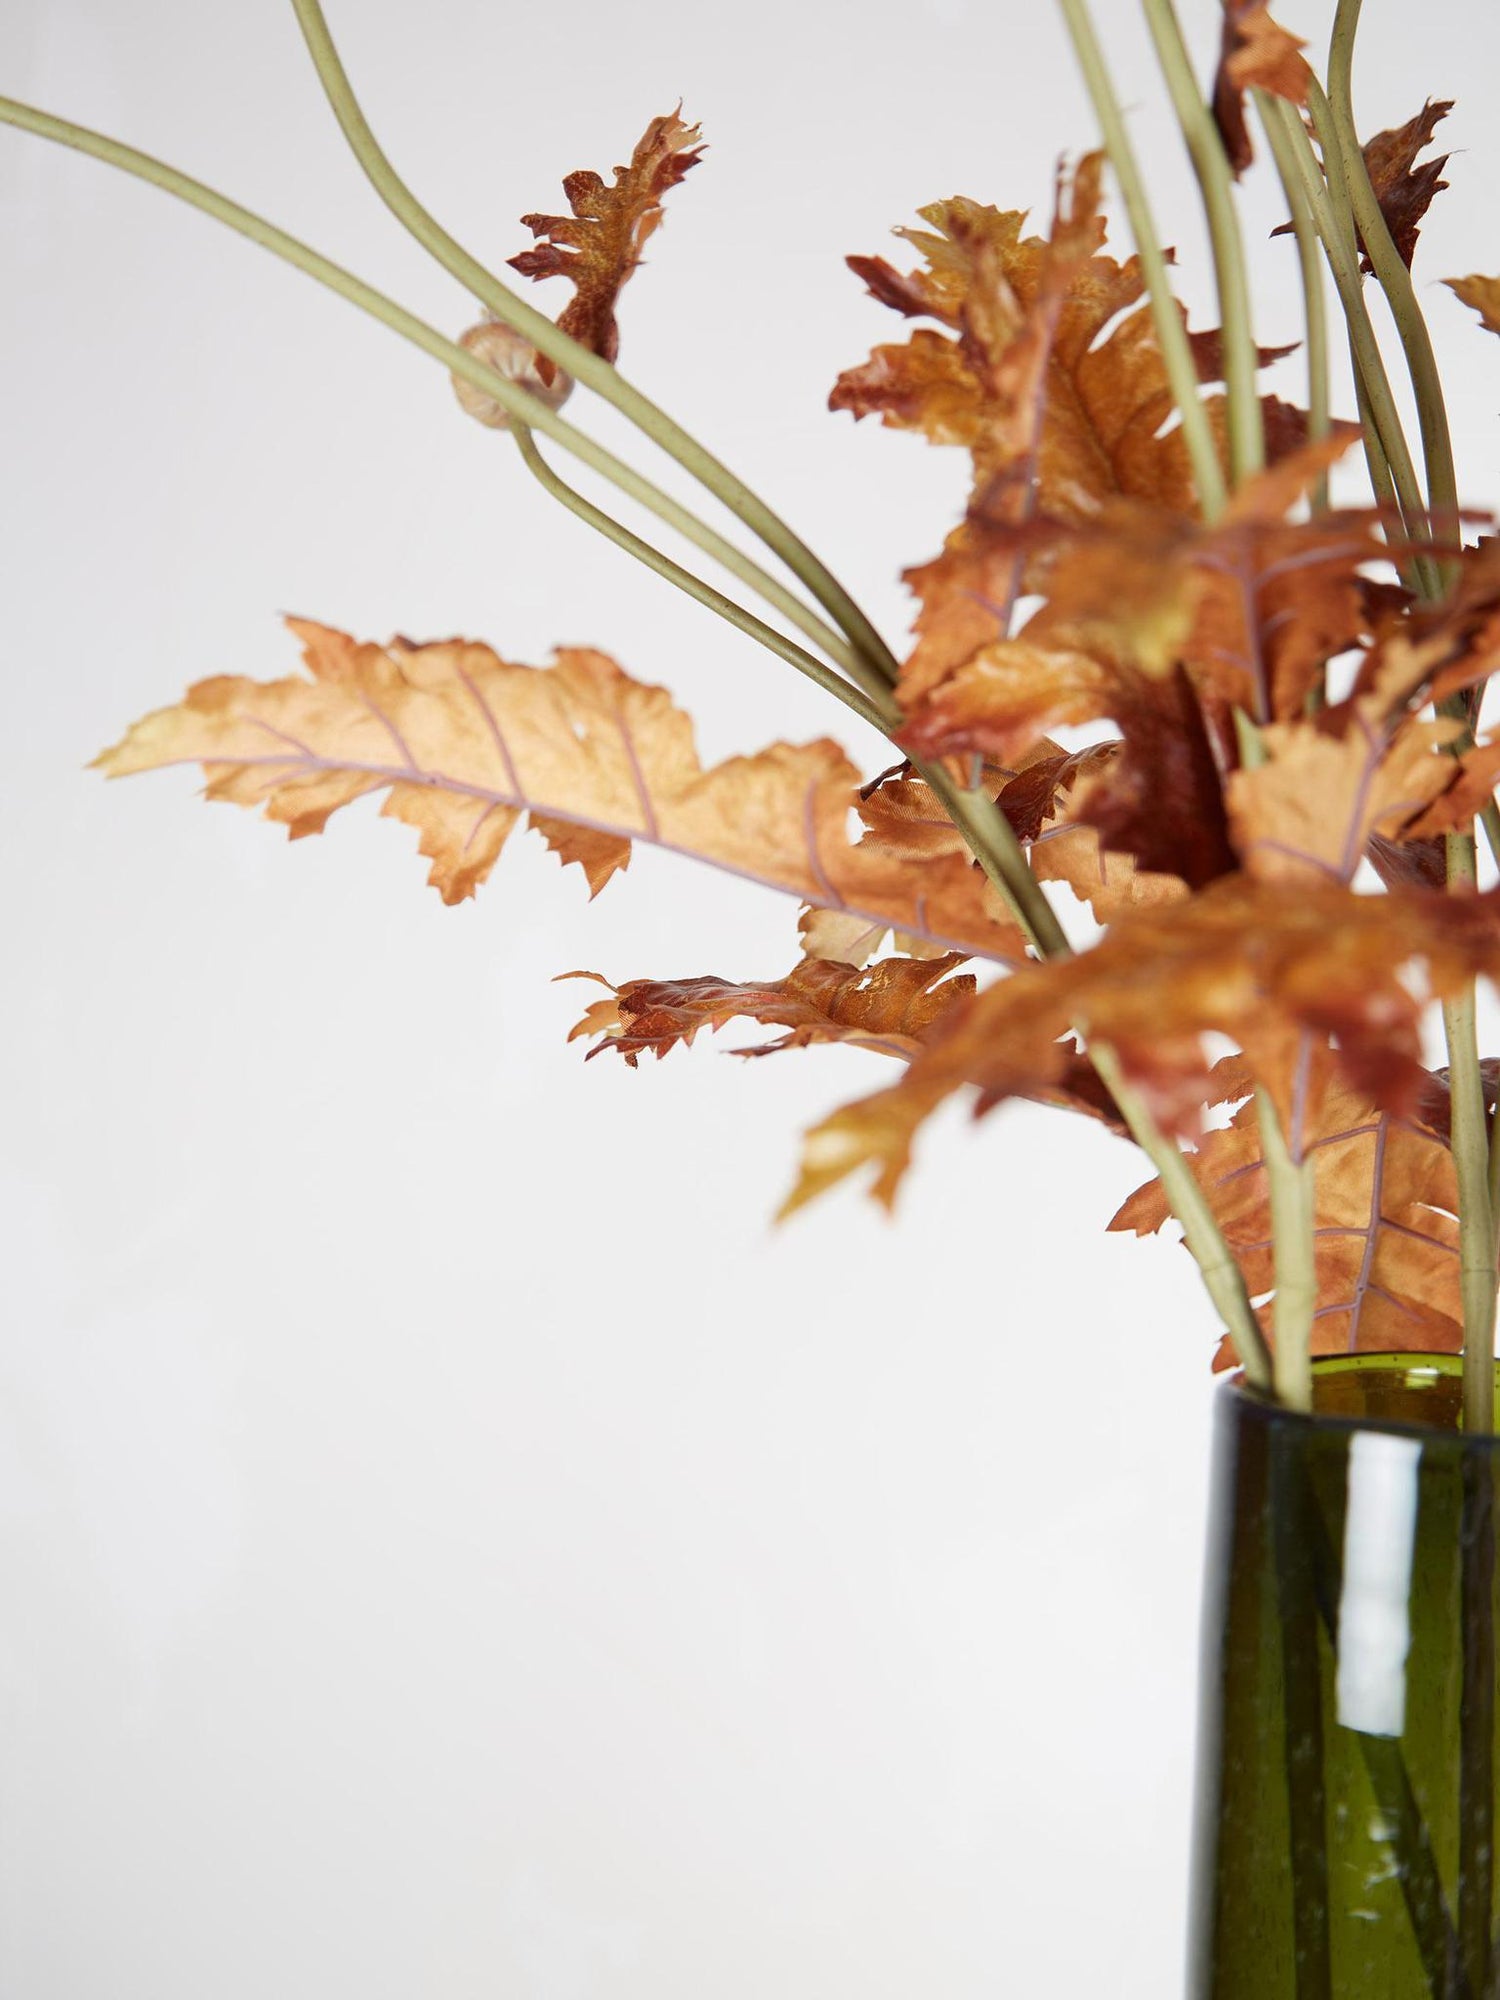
(1081, 589)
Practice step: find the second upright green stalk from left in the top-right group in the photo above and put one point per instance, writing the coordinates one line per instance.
(1217, 187)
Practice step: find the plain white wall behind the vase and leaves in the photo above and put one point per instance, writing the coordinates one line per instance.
(451, 1545)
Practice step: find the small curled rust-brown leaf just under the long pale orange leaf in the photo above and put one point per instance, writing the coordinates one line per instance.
(889, 1007)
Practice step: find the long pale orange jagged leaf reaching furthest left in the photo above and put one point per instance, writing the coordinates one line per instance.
(463, 743)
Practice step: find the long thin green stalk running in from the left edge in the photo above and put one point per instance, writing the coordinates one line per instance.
(459, 361)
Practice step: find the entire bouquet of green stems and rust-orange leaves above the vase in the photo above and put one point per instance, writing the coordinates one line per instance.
(1277, 843)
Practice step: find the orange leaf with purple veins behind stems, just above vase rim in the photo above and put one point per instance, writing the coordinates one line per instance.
(1385, 1207)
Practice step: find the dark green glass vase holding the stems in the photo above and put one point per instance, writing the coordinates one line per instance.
(1347, 1753)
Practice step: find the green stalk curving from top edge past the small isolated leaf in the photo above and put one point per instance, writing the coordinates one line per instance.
(579, 361)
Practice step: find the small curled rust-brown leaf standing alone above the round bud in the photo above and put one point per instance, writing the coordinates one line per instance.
(599, 245)
